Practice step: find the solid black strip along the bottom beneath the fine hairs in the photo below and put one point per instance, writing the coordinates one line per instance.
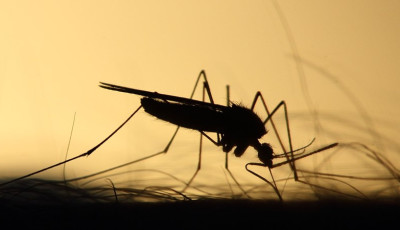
(205, 214)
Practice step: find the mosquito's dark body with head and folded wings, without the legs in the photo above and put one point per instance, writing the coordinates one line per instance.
(235, 125)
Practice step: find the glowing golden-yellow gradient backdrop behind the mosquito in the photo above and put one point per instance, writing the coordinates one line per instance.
(53, 54)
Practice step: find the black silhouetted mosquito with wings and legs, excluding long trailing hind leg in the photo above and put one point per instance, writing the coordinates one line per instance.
(236, 126)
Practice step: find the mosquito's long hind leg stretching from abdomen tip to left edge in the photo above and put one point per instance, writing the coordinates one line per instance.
(74, 158)
